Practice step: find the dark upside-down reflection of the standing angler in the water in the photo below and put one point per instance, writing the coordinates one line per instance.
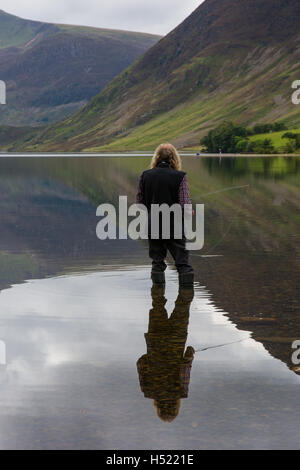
(164, 372)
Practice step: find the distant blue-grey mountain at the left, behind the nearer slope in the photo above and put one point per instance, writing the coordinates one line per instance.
(51, 70)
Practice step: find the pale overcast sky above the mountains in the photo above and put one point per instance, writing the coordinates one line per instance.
(153, 16)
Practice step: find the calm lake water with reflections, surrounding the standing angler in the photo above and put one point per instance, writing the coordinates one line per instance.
(74, 311)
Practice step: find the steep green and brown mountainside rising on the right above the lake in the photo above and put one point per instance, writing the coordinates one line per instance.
(230, 59)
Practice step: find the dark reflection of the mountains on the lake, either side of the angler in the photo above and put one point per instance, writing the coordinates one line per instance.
(250, 261)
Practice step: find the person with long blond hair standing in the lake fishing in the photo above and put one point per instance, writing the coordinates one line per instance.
(165, 183)
